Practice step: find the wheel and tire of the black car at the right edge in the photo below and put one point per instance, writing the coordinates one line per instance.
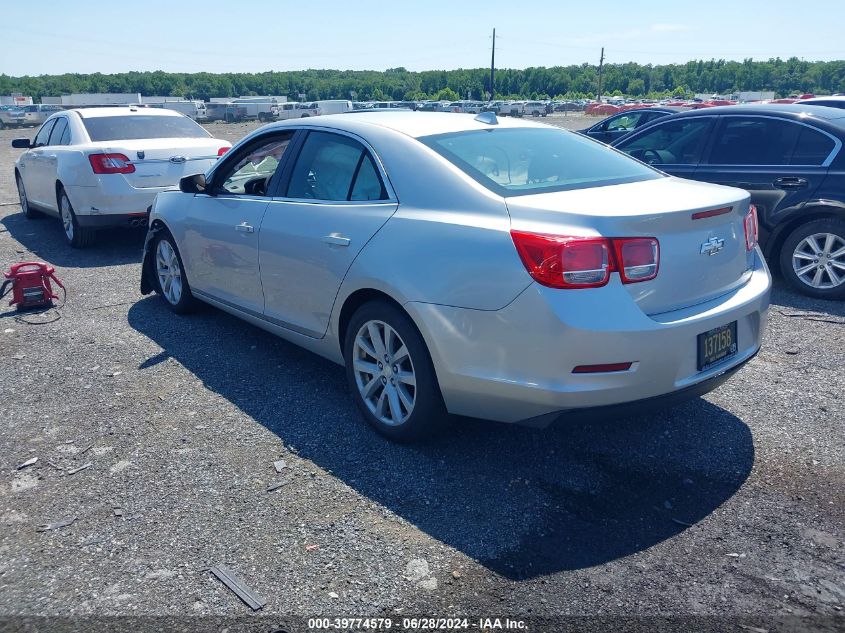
(812, 259)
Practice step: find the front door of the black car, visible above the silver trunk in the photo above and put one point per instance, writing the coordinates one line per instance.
(673, 144)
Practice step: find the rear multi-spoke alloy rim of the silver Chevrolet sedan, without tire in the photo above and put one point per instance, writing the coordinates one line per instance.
(384, 373)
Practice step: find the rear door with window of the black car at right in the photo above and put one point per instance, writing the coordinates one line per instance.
(778, 161)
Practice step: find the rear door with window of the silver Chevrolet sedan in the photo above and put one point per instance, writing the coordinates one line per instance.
(335, 199)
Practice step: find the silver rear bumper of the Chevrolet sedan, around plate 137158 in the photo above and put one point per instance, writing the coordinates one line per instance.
(516, 364)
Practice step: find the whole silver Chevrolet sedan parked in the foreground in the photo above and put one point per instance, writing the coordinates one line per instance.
(464, 265)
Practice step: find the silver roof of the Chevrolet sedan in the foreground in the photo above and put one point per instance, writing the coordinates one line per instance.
(411, 123)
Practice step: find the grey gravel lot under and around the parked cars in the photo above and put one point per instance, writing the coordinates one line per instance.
(732, 505)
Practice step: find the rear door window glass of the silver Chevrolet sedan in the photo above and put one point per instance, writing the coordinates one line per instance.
(334, 168)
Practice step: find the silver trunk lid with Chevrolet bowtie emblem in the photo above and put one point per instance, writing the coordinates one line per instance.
(688, 274)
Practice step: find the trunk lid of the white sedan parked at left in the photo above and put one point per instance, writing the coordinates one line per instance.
(162, 162)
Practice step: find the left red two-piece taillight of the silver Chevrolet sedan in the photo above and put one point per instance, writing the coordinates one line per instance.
(560, 261)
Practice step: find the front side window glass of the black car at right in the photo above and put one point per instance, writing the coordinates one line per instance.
(676, 142)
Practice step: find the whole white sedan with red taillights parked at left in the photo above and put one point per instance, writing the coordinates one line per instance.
(102, 167)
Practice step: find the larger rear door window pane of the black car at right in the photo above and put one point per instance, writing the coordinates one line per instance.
(754, 141)
